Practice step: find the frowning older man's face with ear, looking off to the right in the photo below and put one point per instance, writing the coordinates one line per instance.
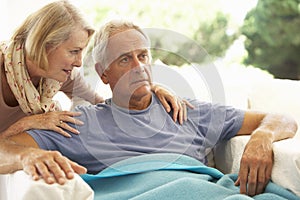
(128, 59)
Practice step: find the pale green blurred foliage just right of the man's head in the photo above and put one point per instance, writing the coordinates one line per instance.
(210, 41)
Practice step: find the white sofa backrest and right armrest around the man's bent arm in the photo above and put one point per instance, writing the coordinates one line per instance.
(245, 88)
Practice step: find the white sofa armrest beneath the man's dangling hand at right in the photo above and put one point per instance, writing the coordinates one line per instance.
(286, 168)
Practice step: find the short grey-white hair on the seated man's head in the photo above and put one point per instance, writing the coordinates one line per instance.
(108, 30)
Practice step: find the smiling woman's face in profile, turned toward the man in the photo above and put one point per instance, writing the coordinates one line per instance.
(66, 56)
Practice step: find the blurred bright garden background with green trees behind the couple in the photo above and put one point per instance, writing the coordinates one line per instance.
(253, 34)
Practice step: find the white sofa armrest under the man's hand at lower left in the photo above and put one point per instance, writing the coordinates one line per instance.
(19, 186)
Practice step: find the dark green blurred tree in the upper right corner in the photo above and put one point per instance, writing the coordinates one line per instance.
(273, 40)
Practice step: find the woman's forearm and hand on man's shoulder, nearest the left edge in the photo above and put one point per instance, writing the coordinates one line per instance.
(56, 121)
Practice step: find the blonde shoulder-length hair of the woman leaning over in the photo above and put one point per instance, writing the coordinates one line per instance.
(49, 26)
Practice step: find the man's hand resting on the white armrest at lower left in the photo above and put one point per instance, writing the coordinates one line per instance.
(50, 165)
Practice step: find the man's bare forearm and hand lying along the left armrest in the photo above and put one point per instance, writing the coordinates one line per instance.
(21, 152)
